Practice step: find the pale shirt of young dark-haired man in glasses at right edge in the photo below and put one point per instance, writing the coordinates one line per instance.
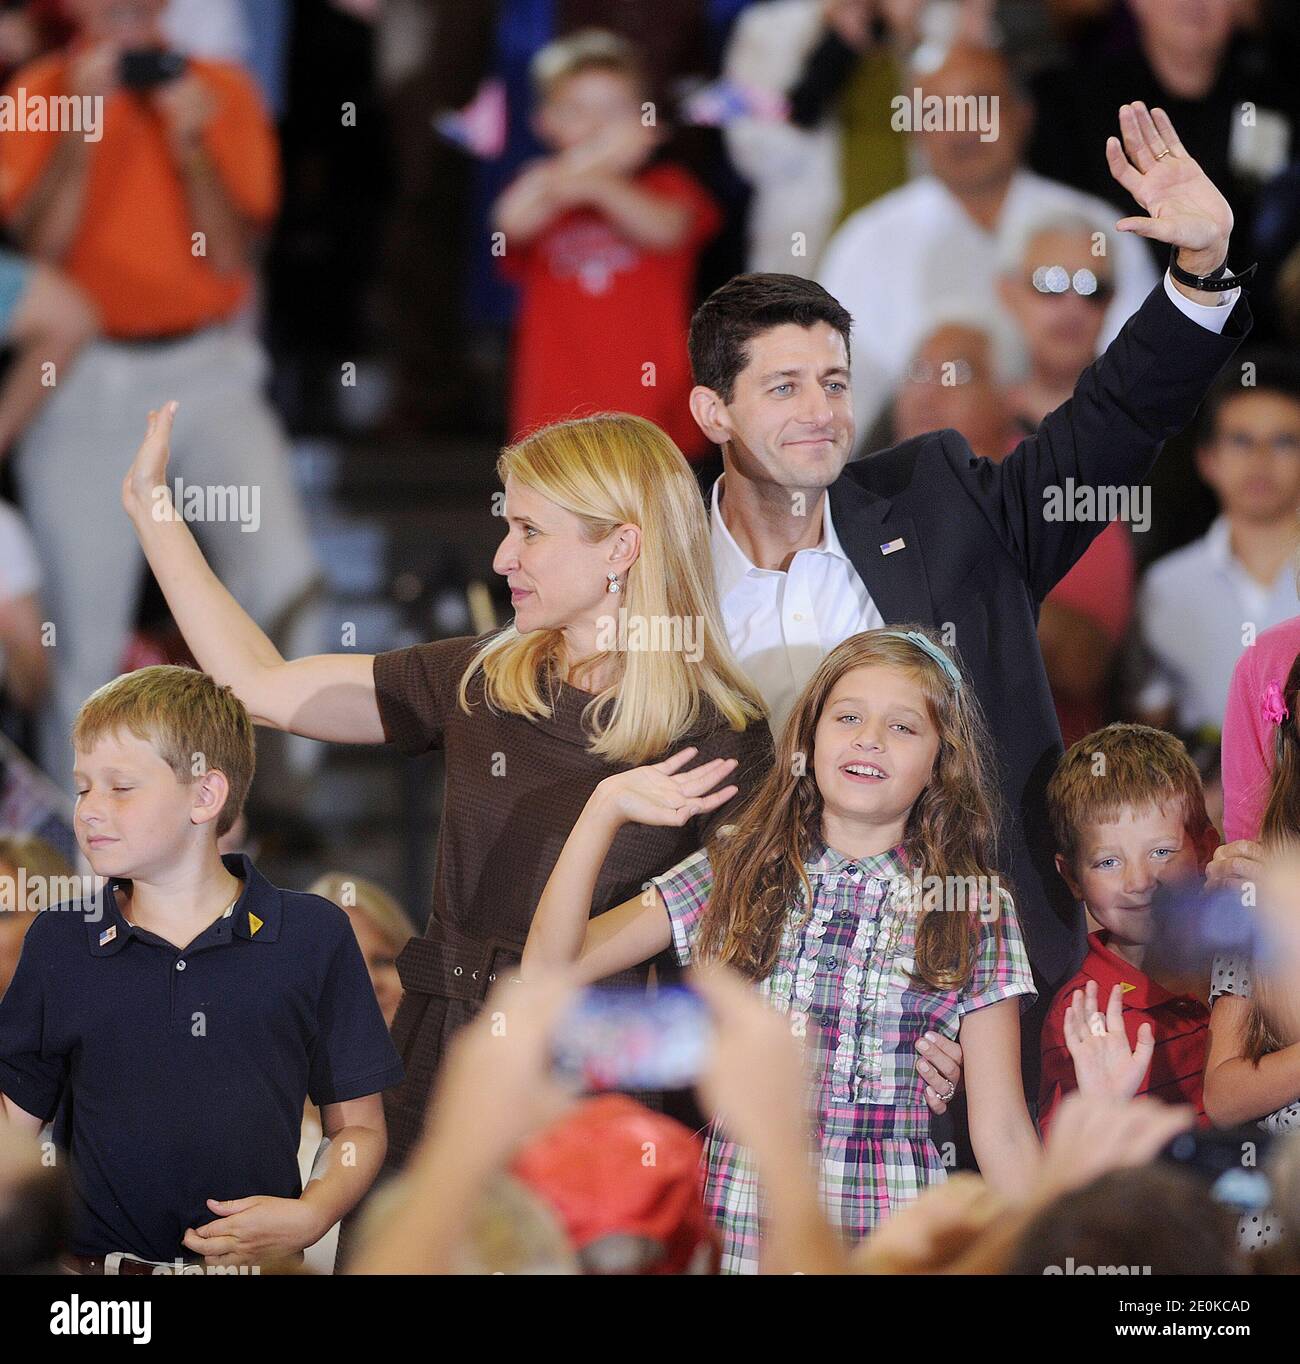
(1198, 609)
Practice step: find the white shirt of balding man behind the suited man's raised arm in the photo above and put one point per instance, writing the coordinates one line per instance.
(916, 257)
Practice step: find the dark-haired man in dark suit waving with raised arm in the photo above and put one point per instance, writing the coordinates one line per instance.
(810, 549)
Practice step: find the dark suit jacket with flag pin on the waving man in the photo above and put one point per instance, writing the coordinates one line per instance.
(980, 556)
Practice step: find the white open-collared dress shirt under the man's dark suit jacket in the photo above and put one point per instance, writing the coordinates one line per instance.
(782, 624)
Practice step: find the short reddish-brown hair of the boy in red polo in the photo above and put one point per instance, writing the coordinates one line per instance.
(1141, 767)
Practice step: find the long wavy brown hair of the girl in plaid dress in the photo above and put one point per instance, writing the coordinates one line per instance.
(951, 831)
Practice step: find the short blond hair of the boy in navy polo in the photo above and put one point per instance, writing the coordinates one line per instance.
(194, 724)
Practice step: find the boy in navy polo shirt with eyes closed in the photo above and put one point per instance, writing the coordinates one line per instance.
(175, 1022)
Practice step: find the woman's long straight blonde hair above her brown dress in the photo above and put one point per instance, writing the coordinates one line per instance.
(613, 470)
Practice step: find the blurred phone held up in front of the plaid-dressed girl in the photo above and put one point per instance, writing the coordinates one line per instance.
(617, 1039)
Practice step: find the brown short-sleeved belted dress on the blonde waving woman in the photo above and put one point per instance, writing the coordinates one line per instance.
(515, 789)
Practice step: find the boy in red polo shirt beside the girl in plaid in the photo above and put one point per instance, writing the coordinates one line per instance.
(1129, 814)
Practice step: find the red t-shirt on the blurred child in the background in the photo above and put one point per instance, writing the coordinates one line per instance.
(598, 312)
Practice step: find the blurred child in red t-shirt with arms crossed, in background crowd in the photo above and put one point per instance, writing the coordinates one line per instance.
(605, 246)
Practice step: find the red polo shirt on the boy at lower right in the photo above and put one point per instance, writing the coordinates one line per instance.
(1181, 1024)
